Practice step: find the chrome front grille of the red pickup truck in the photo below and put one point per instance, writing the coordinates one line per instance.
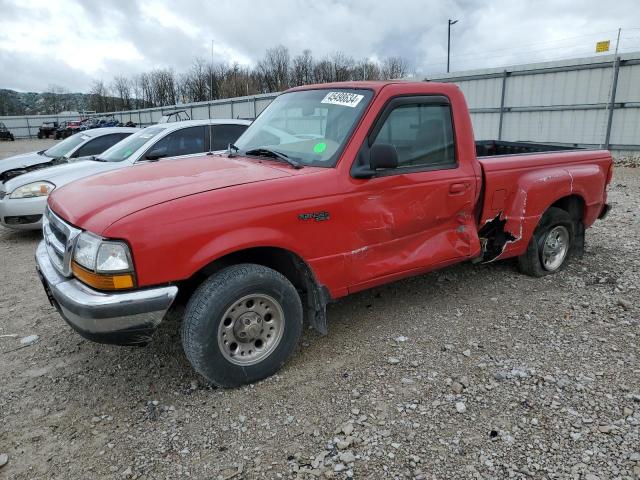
(60, 238)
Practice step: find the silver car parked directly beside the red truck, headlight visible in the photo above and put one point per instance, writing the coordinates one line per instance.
(23, 199)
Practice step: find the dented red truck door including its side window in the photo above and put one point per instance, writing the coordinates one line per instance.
(419, 215)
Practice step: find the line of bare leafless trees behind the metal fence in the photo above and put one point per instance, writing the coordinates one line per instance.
(203, 81)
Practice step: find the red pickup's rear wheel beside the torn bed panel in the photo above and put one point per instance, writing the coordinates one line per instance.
(550, 246)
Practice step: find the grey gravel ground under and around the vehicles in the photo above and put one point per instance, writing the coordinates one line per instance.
(470, 372)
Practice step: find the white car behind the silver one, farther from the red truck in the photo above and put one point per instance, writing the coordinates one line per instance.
(91, 142)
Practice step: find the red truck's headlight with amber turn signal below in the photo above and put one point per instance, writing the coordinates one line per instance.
(103, 264)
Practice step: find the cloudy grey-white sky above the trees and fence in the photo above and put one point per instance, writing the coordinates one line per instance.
(70, 43)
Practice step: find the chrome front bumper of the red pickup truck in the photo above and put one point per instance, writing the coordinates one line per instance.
(123, 318)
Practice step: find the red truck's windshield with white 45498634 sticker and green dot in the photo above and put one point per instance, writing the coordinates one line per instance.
(310, 127)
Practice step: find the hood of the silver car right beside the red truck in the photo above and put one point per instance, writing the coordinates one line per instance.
(60, 175)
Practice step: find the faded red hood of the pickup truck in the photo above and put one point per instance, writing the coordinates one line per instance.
(96, 202)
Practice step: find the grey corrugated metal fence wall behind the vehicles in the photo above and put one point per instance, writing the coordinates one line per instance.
(566, 102)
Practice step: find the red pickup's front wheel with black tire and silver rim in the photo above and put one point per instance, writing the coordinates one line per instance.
(241, 325)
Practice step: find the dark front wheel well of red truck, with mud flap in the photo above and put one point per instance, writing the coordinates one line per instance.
(314, 296)
